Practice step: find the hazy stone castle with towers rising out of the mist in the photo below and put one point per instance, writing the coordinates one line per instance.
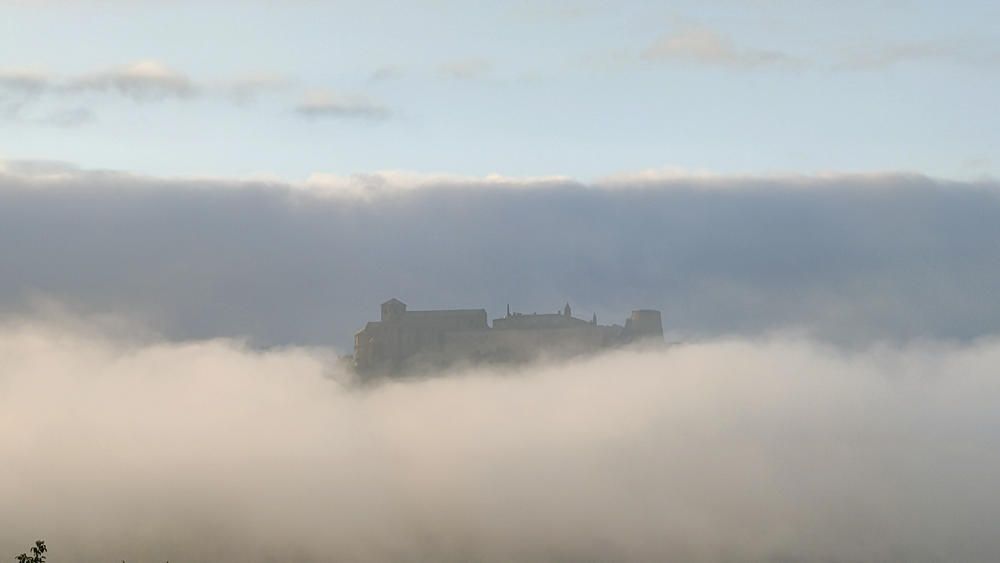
(405, 339)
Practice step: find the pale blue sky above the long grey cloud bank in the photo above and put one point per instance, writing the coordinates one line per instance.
(583, 89)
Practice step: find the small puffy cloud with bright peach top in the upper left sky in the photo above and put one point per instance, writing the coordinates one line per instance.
(141, 81)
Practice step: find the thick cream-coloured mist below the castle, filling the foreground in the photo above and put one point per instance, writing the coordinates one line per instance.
(118, 445)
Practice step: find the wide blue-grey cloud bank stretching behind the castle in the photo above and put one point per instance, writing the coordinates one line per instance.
(849, 259)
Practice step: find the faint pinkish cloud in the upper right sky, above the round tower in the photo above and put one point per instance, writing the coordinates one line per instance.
(701, 45)
